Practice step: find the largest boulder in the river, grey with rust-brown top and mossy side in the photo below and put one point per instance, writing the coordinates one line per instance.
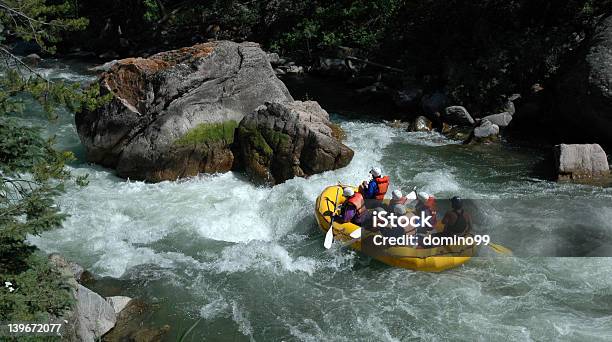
(174, 114)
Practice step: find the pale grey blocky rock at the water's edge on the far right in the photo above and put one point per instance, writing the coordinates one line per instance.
(580, 161)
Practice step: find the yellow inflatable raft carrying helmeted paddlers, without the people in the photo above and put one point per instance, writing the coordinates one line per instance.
(429, 260)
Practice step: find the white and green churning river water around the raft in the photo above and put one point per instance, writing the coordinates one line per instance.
(248, 263)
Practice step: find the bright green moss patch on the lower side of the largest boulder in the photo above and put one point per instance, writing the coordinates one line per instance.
(209, 132)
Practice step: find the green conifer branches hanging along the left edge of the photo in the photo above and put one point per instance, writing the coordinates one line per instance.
(32, 171)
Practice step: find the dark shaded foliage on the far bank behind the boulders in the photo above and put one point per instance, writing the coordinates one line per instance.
(477, 51)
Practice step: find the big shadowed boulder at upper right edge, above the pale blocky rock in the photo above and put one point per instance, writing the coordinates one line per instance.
(584, 95)
